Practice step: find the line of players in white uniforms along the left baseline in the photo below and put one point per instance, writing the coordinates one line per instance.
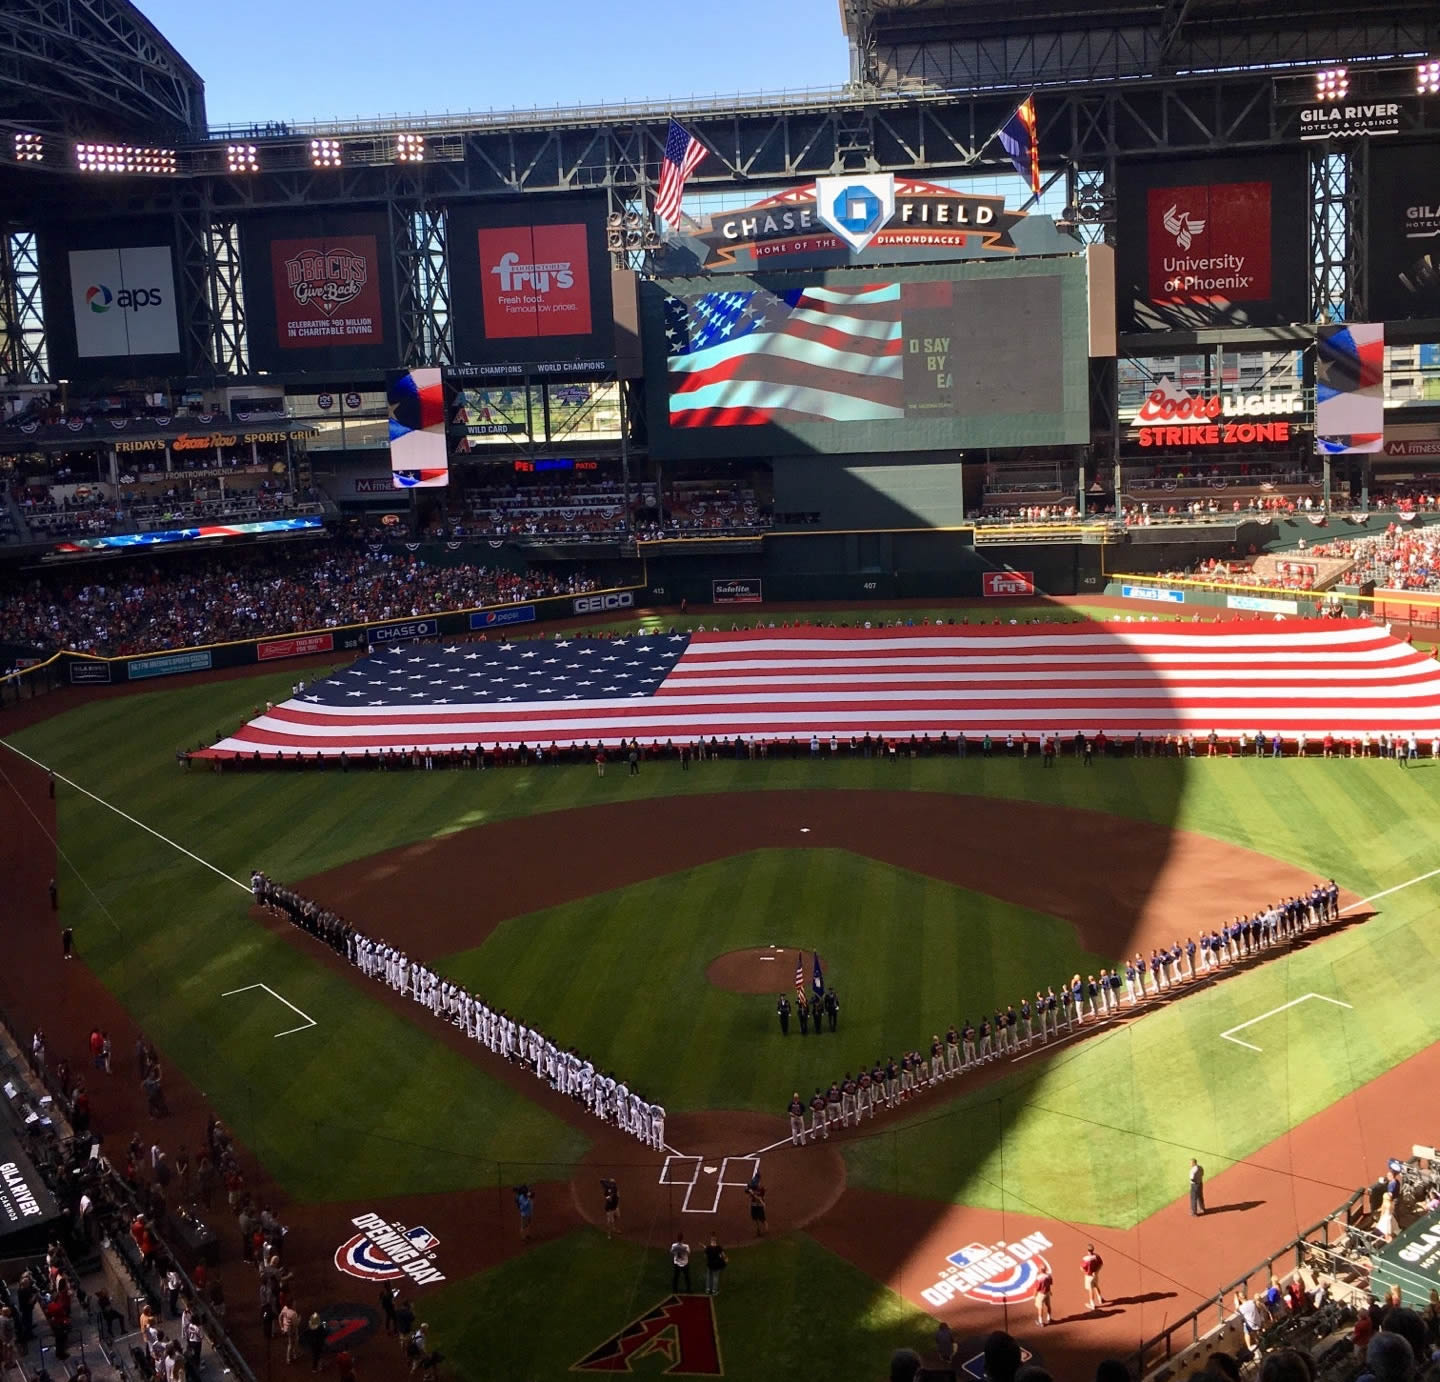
(564, 1070)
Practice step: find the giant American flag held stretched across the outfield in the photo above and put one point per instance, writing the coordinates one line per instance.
(781, 683)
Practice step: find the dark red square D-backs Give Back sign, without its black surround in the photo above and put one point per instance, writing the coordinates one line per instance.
(328, 293)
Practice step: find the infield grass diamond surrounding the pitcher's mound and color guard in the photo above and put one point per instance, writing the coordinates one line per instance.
(906, 957)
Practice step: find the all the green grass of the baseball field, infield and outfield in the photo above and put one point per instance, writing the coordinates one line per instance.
(368, 1105)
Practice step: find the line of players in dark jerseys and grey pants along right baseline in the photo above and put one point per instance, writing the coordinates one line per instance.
(1092, 1000)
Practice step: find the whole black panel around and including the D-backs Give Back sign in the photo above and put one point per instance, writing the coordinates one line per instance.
(319, 292)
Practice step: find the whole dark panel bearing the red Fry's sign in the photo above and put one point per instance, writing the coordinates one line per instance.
(531, 284)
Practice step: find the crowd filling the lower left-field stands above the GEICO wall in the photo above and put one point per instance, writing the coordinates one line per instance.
(186, 601)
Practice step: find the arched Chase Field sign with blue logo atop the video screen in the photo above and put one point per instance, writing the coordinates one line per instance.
(862, 220)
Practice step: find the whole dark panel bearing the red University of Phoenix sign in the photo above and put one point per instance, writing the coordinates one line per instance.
(1213, 243)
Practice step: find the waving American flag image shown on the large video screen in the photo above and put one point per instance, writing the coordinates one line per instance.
(810, 355)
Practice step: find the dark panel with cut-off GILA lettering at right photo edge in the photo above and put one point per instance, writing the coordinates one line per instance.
(1405, 231)
